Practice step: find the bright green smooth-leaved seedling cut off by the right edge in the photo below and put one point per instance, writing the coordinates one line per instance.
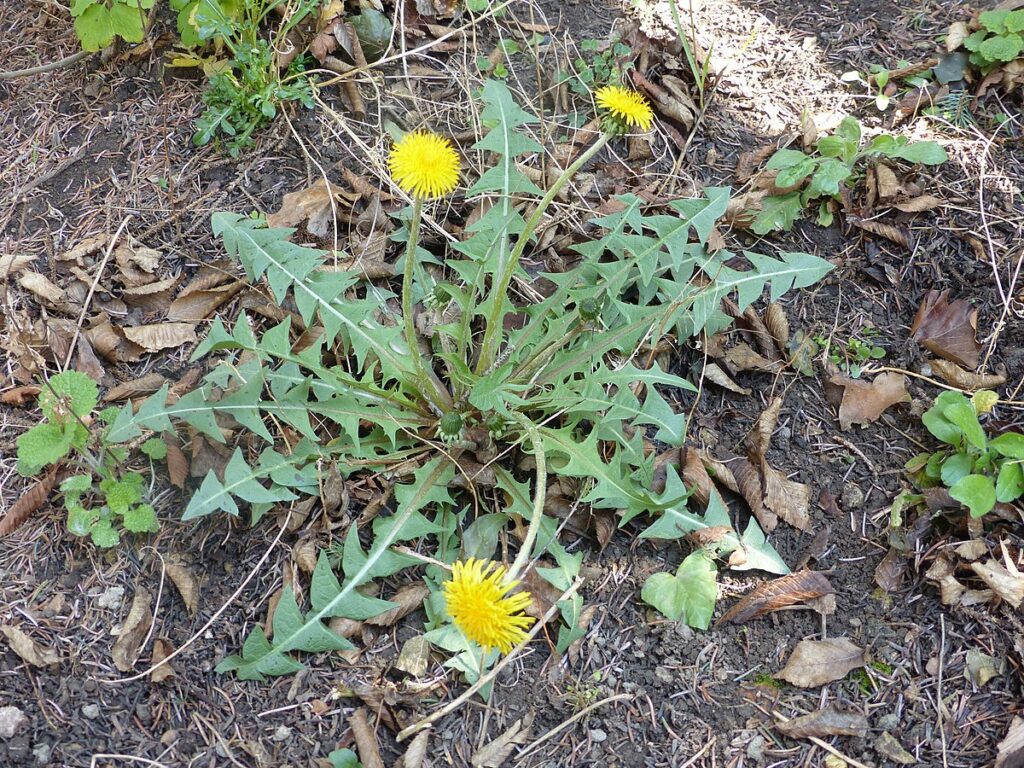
(979, 471)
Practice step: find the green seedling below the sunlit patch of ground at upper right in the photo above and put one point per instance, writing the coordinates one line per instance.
(819, 179)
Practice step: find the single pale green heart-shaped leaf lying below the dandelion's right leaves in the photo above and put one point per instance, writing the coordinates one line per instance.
(689, 596)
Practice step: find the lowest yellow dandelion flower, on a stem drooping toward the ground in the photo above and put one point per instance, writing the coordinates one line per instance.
(479, 603)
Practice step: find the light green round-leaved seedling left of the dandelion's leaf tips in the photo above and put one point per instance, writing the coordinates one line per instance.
(97, 497)
